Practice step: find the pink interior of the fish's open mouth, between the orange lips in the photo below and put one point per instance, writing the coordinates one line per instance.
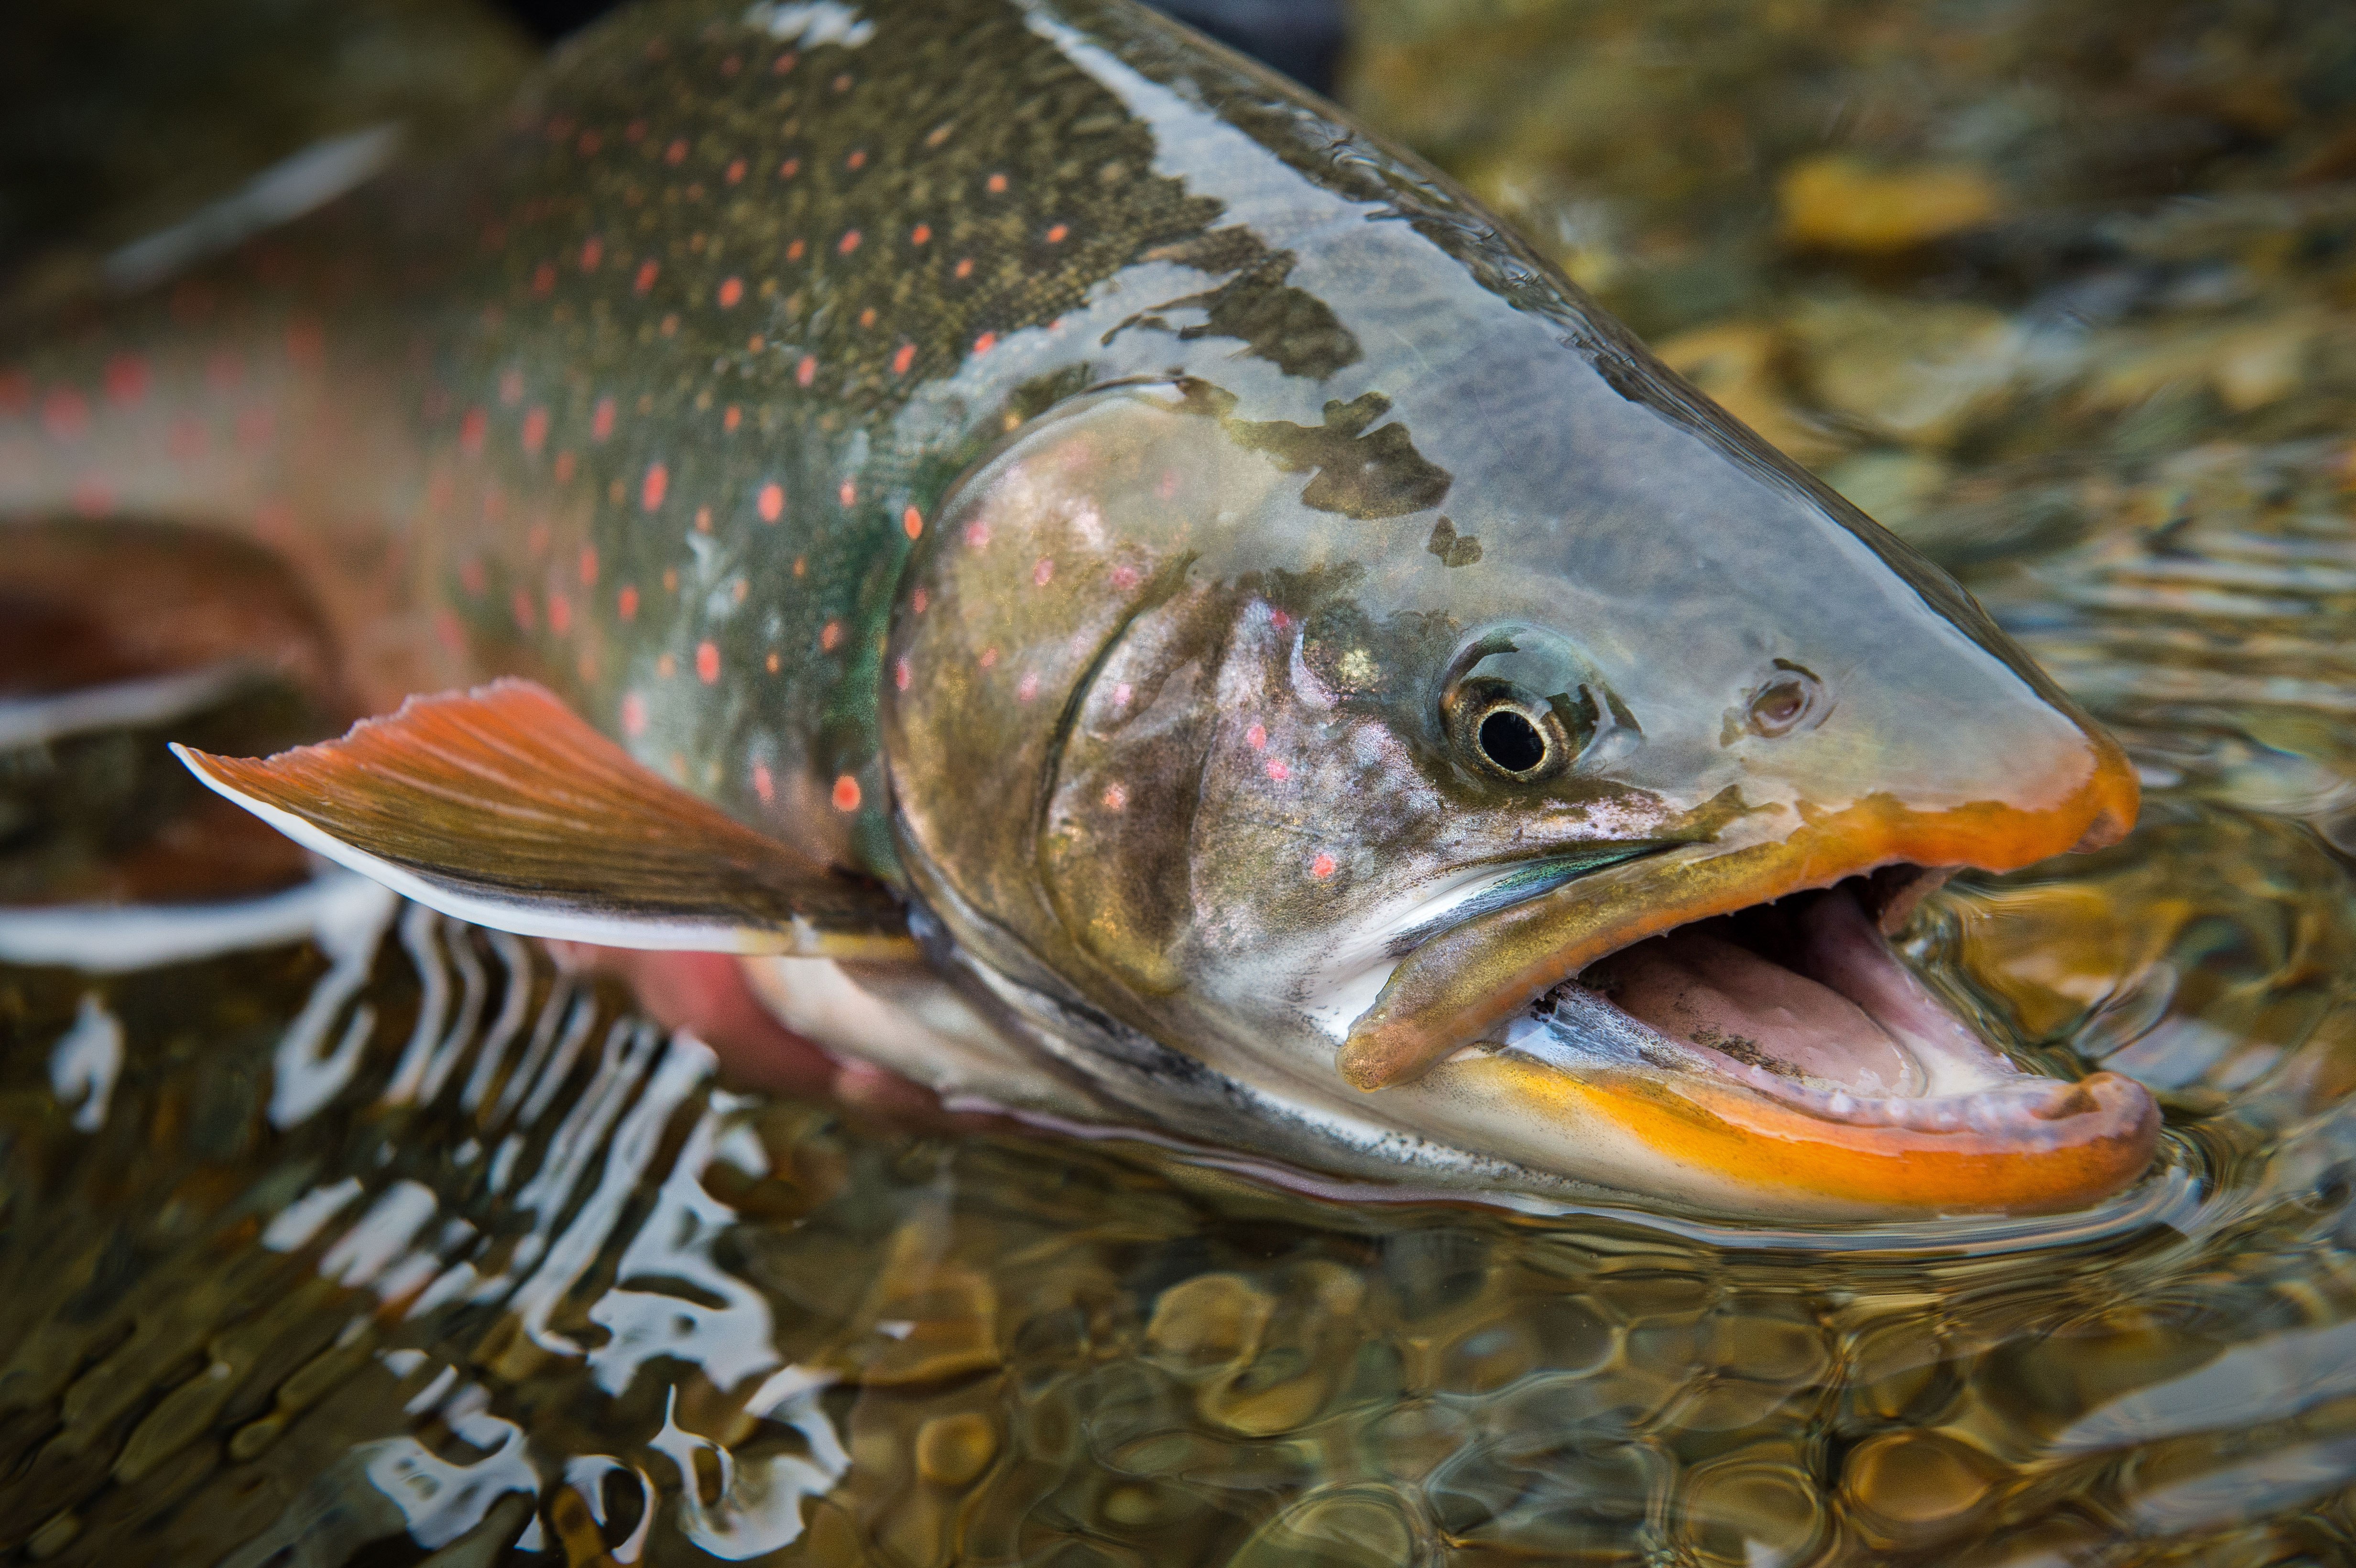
(1808, 999)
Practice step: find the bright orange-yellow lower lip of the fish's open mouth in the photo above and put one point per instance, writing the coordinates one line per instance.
(1792, 1160)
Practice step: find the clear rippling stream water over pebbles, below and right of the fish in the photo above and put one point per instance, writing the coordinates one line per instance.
(338, 1233)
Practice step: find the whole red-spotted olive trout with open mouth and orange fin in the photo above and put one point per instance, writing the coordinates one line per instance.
(1113, 594)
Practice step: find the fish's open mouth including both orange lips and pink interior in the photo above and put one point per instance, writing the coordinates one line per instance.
(1745, 1018)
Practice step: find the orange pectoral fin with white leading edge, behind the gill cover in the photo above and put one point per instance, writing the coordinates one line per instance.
(503, 809)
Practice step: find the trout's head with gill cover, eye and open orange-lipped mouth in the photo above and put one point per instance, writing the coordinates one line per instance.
(1526, 804)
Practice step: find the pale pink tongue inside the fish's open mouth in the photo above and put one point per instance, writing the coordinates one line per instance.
(1695, 985)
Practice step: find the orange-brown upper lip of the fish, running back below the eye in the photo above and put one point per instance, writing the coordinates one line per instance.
(1464, 983)
